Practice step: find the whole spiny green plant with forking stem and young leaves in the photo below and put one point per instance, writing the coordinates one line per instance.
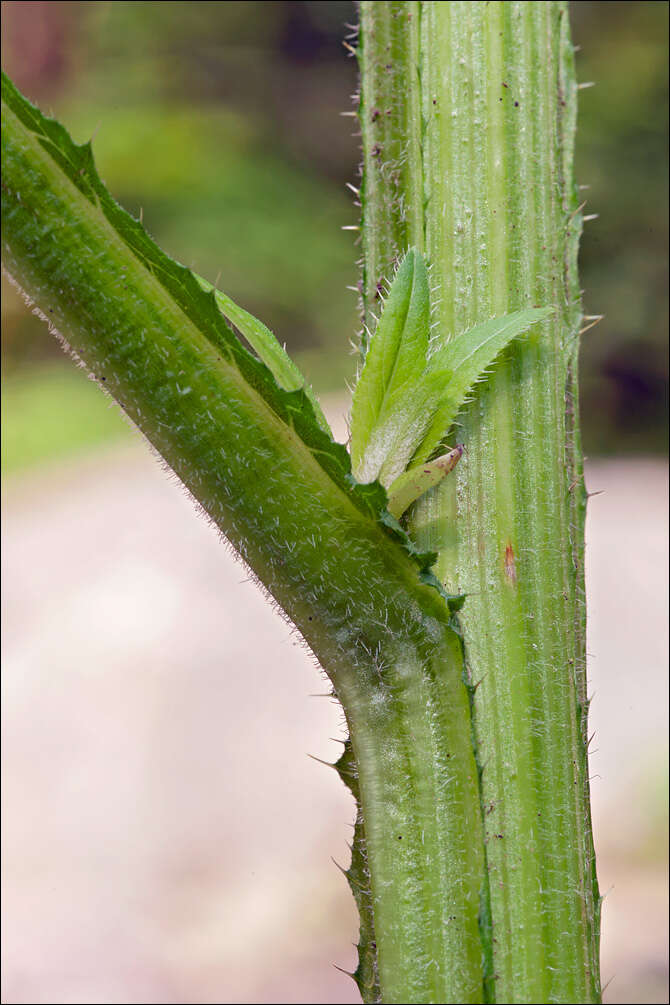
(446, 609)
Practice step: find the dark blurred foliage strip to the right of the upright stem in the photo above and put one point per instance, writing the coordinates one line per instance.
(622, 155)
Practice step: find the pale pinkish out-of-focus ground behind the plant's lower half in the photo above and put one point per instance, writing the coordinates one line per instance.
(166, 837)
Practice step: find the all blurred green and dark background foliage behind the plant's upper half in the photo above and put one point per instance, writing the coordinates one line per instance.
(221, 122)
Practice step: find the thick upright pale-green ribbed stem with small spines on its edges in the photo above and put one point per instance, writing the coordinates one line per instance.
(468, 114)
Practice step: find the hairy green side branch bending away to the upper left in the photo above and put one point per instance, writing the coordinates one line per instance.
(280, 491)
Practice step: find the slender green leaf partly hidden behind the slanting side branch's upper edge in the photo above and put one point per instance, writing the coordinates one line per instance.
(268, 347)
